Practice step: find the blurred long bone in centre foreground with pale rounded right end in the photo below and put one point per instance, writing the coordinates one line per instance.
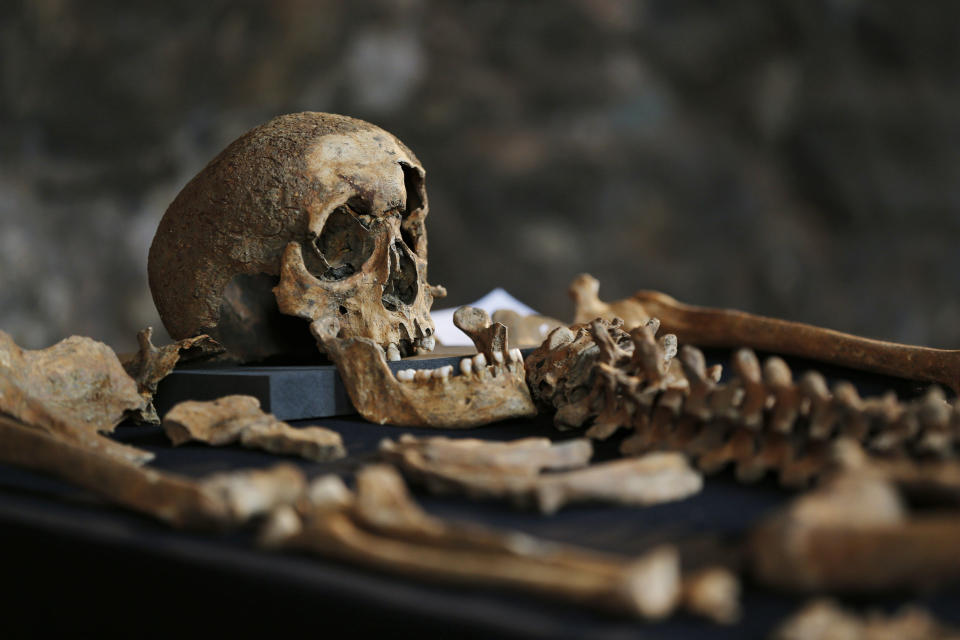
(383, 528)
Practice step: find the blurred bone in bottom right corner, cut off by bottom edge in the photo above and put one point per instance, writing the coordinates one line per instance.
(825, 620)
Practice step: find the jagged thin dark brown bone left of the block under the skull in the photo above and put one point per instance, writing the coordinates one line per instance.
(152, 364)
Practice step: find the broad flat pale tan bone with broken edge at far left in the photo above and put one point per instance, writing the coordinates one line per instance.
(74, 390)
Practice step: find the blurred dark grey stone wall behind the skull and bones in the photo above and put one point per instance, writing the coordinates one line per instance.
(799, 158)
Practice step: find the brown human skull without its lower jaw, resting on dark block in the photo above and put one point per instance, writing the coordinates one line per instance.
(336, 203)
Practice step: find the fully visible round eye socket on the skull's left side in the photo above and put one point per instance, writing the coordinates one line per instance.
(342, 247)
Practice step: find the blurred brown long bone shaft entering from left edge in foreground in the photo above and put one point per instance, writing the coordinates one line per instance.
(177, 501)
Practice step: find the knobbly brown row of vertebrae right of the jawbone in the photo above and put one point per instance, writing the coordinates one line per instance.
(759, 420)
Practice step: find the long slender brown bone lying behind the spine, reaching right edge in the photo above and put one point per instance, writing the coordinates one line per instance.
(707, 327)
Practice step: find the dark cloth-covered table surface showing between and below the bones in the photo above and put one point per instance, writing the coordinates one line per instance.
(96, 568)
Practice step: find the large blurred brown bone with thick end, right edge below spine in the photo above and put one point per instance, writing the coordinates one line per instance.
(855, 532)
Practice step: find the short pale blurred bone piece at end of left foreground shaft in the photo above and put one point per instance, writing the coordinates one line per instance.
(258, 491)
